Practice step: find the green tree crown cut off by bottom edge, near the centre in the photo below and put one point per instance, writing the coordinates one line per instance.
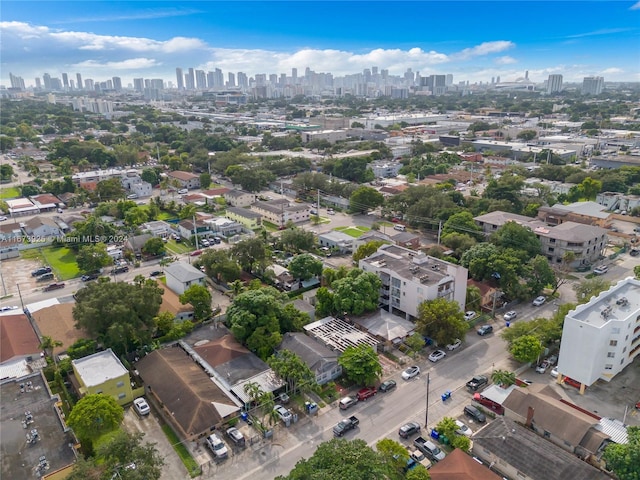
(340, 459)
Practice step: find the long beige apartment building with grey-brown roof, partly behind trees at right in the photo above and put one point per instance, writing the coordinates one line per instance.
(587, 242)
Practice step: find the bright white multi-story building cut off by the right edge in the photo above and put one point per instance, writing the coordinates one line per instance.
(601, 337)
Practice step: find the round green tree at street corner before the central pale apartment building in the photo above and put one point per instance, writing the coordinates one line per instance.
(442, 320)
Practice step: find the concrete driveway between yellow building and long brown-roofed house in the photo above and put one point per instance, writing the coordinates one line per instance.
(173, 468)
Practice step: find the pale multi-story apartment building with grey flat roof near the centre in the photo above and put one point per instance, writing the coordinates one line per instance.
(410, 278)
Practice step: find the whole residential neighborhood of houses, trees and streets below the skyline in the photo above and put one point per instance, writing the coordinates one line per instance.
(229, 292)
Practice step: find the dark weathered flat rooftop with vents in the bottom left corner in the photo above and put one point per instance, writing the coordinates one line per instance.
(20, 459)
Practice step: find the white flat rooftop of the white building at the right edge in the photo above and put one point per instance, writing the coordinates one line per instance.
(615, 304)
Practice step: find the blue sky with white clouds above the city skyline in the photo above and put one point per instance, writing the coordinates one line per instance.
(473, 40)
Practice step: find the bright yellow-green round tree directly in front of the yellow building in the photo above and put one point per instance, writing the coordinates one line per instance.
(95, 415)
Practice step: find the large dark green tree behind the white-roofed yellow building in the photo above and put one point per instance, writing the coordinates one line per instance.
(118, 314)
